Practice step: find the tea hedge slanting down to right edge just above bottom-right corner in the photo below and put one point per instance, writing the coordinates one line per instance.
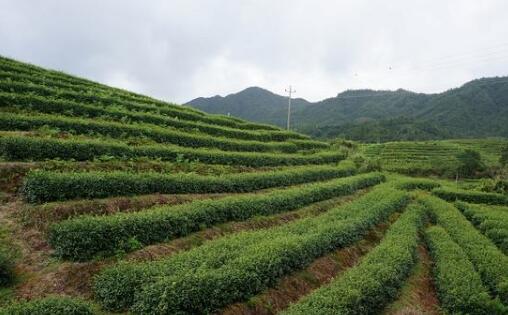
(490, 262)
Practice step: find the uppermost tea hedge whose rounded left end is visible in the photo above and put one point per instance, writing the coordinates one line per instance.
(43, 186)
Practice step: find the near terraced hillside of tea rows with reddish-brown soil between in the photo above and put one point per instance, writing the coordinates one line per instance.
(114, 202)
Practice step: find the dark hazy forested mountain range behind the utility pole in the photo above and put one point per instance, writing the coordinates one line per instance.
(477, 109)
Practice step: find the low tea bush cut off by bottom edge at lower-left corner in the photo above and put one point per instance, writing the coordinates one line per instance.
(49, 306)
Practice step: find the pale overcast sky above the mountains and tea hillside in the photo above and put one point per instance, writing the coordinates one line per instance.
(179, 50)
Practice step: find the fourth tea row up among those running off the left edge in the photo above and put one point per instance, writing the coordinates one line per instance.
(105, 100)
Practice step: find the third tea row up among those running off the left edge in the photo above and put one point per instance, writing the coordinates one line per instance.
(71, 108)
